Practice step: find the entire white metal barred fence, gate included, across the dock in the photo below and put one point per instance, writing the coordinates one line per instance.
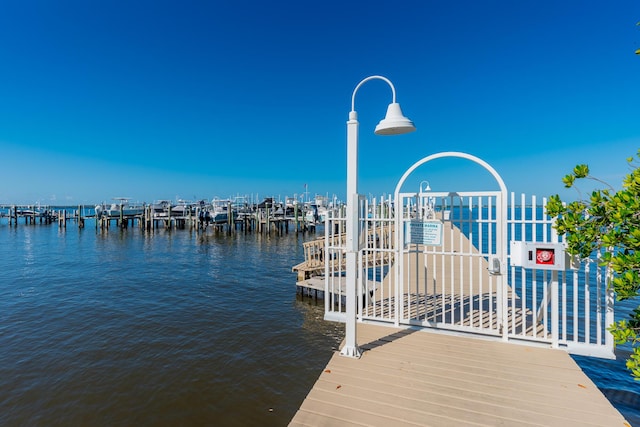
(459, 284)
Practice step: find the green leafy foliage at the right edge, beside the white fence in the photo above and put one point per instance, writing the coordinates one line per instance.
(608, 220)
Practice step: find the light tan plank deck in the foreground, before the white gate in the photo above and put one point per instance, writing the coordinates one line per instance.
(411, 377)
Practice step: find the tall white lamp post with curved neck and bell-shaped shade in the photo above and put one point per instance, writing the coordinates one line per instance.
(394, 123)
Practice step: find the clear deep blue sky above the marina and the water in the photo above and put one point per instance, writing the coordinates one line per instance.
(198, 99)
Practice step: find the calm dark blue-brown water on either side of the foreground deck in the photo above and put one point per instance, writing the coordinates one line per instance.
(170, 328)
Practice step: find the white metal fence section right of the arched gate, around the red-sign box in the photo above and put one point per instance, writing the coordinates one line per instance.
(571, 308)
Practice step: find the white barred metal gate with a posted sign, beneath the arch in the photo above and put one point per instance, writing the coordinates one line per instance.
(449, 263)
